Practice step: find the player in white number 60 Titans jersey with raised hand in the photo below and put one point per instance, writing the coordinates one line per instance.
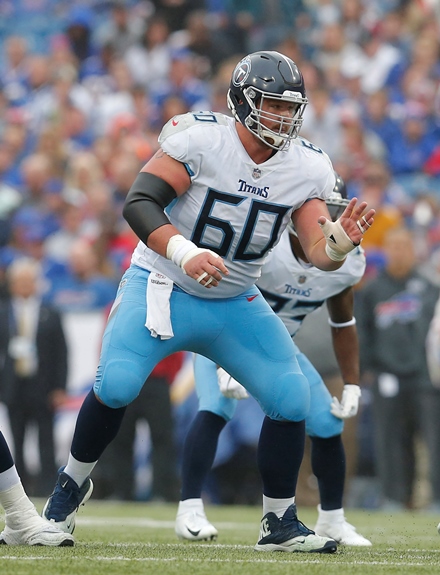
(207, 208)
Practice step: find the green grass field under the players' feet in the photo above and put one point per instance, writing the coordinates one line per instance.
(138, 538)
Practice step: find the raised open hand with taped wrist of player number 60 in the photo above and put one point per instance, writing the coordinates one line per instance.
(347, 231)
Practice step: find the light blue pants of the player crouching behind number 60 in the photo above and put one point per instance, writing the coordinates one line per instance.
(319, 421)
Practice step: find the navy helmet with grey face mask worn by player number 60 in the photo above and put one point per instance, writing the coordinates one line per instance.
(267, 75)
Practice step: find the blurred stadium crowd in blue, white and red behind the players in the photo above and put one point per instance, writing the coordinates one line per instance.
(85, 88)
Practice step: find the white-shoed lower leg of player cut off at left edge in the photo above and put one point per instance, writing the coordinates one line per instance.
(23, 525)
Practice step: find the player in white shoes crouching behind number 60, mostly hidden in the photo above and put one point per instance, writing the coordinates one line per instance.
(294, 288)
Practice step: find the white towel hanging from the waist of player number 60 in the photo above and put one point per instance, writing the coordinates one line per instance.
(158, 320)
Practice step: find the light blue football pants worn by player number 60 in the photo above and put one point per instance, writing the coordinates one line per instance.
(242, 334)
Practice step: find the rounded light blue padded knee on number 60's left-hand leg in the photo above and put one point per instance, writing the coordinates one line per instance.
(119, 383)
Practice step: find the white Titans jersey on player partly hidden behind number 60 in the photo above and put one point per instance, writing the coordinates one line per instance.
(294, 288)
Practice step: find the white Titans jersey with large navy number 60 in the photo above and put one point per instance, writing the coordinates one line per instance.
(234, 206)
